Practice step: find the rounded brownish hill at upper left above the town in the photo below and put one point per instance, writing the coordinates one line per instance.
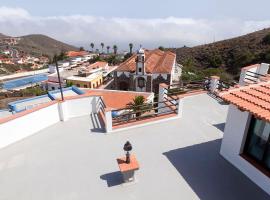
(42, 45)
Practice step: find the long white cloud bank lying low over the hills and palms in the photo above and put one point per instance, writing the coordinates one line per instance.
(80, 30)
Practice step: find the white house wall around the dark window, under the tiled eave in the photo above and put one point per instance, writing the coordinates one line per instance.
(232, 146)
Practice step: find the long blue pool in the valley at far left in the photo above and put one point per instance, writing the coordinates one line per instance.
(8, 85)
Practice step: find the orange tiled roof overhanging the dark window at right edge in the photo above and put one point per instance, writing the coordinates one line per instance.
(253, 98)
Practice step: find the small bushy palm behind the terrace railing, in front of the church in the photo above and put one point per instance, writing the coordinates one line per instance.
(138, 104)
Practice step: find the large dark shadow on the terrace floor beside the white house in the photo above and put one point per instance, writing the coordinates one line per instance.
(210, 176)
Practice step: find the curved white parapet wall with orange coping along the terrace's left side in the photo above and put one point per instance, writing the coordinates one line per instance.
(26, 124)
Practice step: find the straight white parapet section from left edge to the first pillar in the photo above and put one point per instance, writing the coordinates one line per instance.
(22, 127)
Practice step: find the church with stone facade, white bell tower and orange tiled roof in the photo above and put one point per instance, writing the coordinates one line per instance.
(144, 71)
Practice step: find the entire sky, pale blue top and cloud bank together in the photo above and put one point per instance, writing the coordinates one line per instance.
(150, 22)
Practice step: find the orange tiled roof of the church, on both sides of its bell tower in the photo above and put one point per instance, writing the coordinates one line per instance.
(156, 61)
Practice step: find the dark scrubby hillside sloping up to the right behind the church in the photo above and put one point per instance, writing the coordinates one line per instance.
(231, 54)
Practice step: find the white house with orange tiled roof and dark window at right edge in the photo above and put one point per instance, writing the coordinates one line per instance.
(246, 139)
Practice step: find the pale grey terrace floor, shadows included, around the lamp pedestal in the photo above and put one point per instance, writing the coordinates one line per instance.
(179, 159)
